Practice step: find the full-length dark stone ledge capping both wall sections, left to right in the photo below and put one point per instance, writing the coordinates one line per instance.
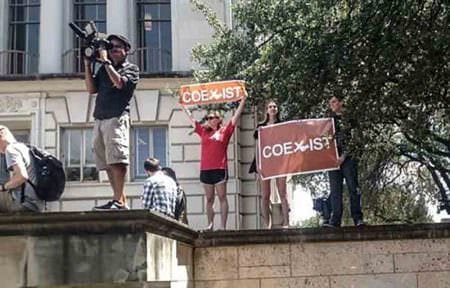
(142, 221)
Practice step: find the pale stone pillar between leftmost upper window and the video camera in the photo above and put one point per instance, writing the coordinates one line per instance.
(51, 33)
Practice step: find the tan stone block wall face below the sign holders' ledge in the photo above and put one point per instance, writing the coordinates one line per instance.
(307, 261)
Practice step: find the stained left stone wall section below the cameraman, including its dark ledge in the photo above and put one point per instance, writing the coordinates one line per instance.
(85, 249)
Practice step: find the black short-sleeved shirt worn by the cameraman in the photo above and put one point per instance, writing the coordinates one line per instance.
(111, 101)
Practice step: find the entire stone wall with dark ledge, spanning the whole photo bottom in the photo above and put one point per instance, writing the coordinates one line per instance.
(143, 249)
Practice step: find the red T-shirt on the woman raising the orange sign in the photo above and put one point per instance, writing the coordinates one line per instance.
(214, 146)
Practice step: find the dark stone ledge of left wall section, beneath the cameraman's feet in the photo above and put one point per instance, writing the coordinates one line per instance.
(94, 222)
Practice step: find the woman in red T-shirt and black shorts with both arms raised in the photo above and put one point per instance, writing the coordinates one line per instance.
(215, 136)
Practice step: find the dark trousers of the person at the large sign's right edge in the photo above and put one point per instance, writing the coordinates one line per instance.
(349, 172)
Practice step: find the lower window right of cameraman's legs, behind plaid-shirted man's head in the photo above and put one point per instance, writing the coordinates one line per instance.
(148, 142)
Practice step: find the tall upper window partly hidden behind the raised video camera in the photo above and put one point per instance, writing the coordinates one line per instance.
(83, 12)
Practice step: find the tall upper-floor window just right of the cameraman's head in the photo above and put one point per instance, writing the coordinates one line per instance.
(154, 35)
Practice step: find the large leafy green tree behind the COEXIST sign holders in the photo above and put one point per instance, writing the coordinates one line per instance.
(390, 59)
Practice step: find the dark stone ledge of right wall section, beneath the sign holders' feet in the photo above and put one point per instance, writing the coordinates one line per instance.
(305, 235)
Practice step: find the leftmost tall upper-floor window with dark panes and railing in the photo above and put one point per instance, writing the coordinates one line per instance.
(22, 56)
